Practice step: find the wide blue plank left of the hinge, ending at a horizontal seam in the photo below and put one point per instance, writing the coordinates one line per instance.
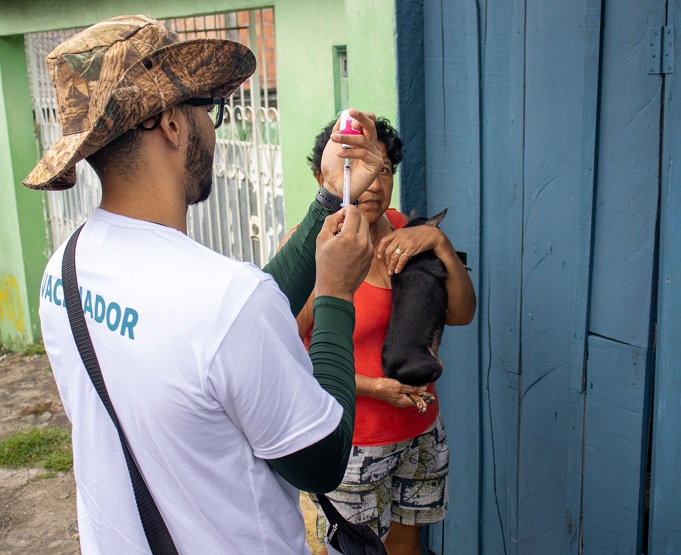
(628, 175)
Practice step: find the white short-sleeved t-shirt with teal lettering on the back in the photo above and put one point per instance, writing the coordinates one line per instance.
(203, 364)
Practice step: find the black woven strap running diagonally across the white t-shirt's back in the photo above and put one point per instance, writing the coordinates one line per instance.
(160, 541)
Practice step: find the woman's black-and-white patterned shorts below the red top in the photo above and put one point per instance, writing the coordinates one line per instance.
(404, 482)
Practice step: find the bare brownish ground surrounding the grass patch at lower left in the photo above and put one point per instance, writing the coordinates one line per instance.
(38, 515)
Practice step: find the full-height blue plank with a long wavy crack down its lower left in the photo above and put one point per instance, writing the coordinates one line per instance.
(502, 78)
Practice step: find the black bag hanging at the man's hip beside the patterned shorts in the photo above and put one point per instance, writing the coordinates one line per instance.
(349, 538)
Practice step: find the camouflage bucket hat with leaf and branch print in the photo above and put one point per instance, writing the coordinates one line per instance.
(117, 74)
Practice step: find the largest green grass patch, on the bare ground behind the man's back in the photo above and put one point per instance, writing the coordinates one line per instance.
(48, 448)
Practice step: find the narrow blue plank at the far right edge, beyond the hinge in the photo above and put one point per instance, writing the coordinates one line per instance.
(665, 497)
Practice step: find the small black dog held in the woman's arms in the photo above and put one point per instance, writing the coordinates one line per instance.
(419, 308)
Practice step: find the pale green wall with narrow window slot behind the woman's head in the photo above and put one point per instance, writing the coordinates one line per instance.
(306, 79)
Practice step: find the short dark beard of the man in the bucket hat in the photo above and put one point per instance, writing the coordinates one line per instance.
(198, 166)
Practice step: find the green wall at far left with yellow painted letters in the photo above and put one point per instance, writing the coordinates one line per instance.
(23, 238)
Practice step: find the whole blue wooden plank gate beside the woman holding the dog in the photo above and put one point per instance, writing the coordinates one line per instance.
(542, 131)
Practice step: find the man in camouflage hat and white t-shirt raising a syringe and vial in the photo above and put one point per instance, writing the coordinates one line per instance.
(200, 353)
